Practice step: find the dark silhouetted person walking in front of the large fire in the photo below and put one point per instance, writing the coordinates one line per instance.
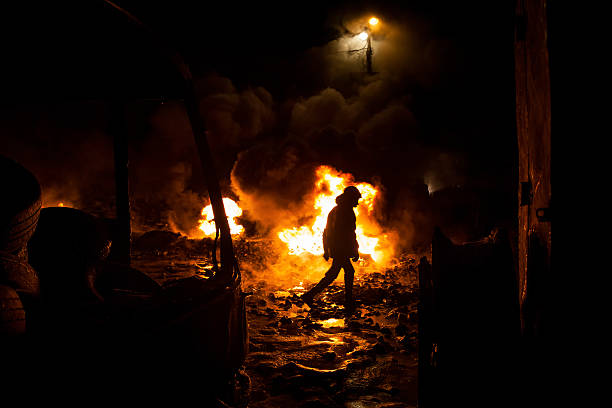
(340, 243)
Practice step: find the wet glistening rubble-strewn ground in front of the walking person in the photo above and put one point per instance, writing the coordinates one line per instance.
(319, 358)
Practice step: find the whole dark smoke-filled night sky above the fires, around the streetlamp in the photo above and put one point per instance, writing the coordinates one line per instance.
(280, 95)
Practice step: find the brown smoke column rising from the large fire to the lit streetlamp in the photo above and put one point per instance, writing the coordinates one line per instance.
(365, 126)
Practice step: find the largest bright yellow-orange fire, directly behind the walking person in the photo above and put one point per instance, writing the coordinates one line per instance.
(331, 183)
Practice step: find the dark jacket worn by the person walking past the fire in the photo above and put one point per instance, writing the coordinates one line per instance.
(339, 239)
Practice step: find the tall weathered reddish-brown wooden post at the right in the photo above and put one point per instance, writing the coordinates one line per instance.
(533, 117)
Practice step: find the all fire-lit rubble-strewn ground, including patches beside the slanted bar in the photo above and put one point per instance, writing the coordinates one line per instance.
(302, 357)
